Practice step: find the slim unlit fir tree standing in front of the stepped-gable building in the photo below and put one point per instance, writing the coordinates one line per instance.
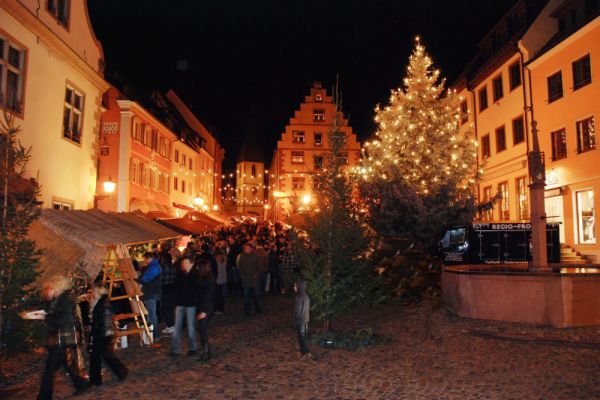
(335, 256)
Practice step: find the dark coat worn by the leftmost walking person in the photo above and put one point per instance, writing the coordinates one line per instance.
(60, 322)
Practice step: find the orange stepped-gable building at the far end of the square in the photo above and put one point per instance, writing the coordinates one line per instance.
(299, 153)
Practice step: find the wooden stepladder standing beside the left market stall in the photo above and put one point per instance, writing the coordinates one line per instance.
(118, 269)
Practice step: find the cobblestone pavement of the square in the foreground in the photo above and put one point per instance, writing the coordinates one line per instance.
(433, 355)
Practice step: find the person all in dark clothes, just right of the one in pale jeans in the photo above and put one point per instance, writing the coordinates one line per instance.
(205, 306)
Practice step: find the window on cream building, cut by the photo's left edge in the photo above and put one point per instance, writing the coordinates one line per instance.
(12, 71)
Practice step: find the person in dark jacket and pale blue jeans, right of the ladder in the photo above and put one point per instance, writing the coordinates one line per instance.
(186, 290)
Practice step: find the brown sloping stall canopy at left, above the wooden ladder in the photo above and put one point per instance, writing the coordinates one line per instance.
(70, 237)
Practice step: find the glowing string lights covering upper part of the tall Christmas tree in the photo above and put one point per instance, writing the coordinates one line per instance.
(418, 133)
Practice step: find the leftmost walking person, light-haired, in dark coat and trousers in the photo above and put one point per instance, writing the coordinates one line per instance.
(61, 336)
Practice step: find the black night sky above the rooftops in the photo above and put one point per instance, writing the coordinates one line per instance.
(236, 61)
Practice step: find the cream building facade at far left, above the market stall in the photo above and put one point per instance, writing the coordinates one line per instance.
(51, 78)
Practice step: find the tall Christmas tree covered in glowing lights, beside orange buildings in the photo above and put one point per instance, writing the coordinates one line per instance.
(419, 171)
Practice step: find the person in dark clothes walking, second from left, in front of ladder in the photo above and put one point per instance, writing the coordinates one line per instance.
(103, 339)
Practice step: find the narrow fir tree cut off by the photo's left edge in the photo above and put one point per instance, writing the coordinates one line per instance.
(18, 254)
